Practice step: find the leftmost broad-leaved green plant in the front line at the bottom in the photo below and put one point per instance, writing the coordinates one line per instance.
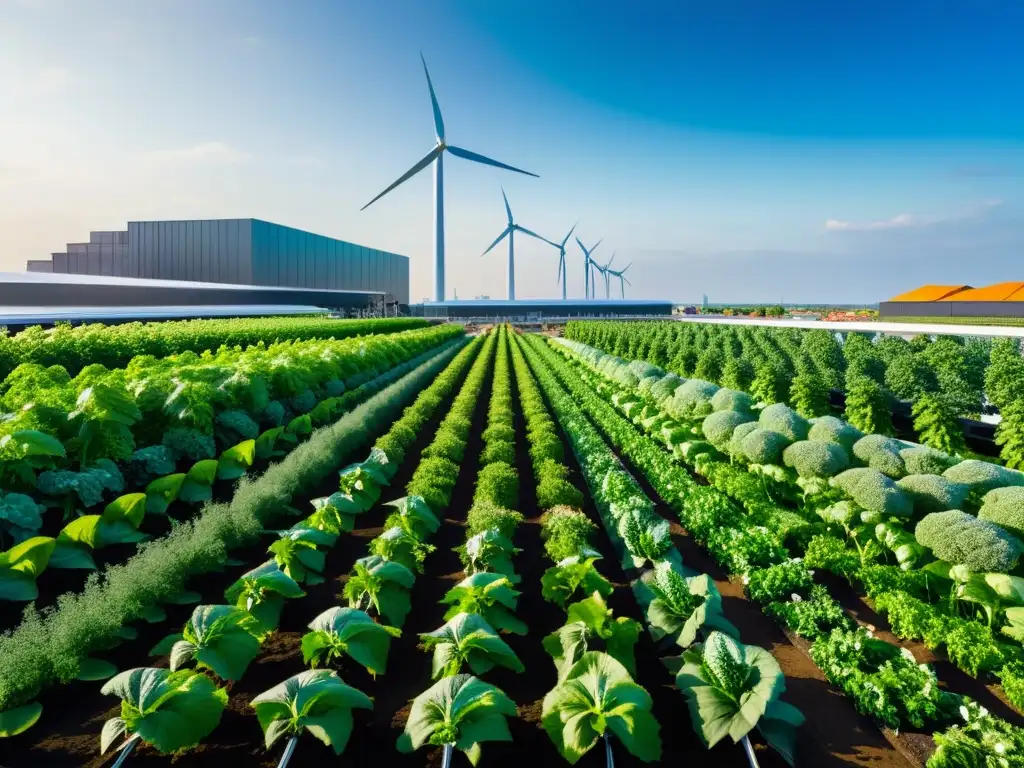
(169, 711)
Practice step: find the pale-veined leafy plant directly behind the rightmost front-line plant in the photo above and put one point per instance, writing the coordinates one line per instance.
(680, 609)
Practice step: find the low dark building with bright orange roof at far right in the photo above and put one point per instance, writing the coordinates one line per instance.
(1000, 301)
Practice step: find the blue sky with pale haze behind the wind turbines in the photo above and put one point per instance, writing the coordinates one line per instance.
(830, 152)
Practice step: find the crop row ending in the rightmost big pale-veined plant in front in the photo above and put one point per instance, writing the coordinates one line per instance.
(681, 608)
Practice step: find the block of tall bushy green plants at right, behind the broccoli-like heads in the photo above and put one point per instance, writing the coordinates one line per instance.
(944, 378)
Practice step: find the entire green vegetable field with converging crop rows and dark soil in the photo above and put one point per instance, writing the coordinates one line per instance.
(637, 543)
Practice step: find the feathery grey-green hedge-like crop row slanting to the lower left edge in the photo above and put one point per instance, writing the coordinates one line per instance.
(52, 649)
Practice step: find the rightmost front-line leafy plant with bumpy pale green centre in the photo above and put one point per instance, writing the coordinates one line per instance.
(733, 689)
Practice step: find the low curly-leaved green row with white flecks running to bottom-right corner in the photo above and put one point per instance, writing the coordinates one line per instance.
(883, 682)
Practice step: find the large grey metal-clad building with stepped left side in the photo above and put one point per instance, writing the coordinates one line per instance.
(249, 252)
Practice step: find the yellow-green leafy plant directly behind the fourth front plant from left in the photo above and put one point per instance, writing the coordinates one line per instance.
(590, 624)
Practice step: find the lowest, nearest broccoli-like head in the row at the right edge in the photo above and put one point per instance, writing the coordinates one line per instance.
(961, 539)
